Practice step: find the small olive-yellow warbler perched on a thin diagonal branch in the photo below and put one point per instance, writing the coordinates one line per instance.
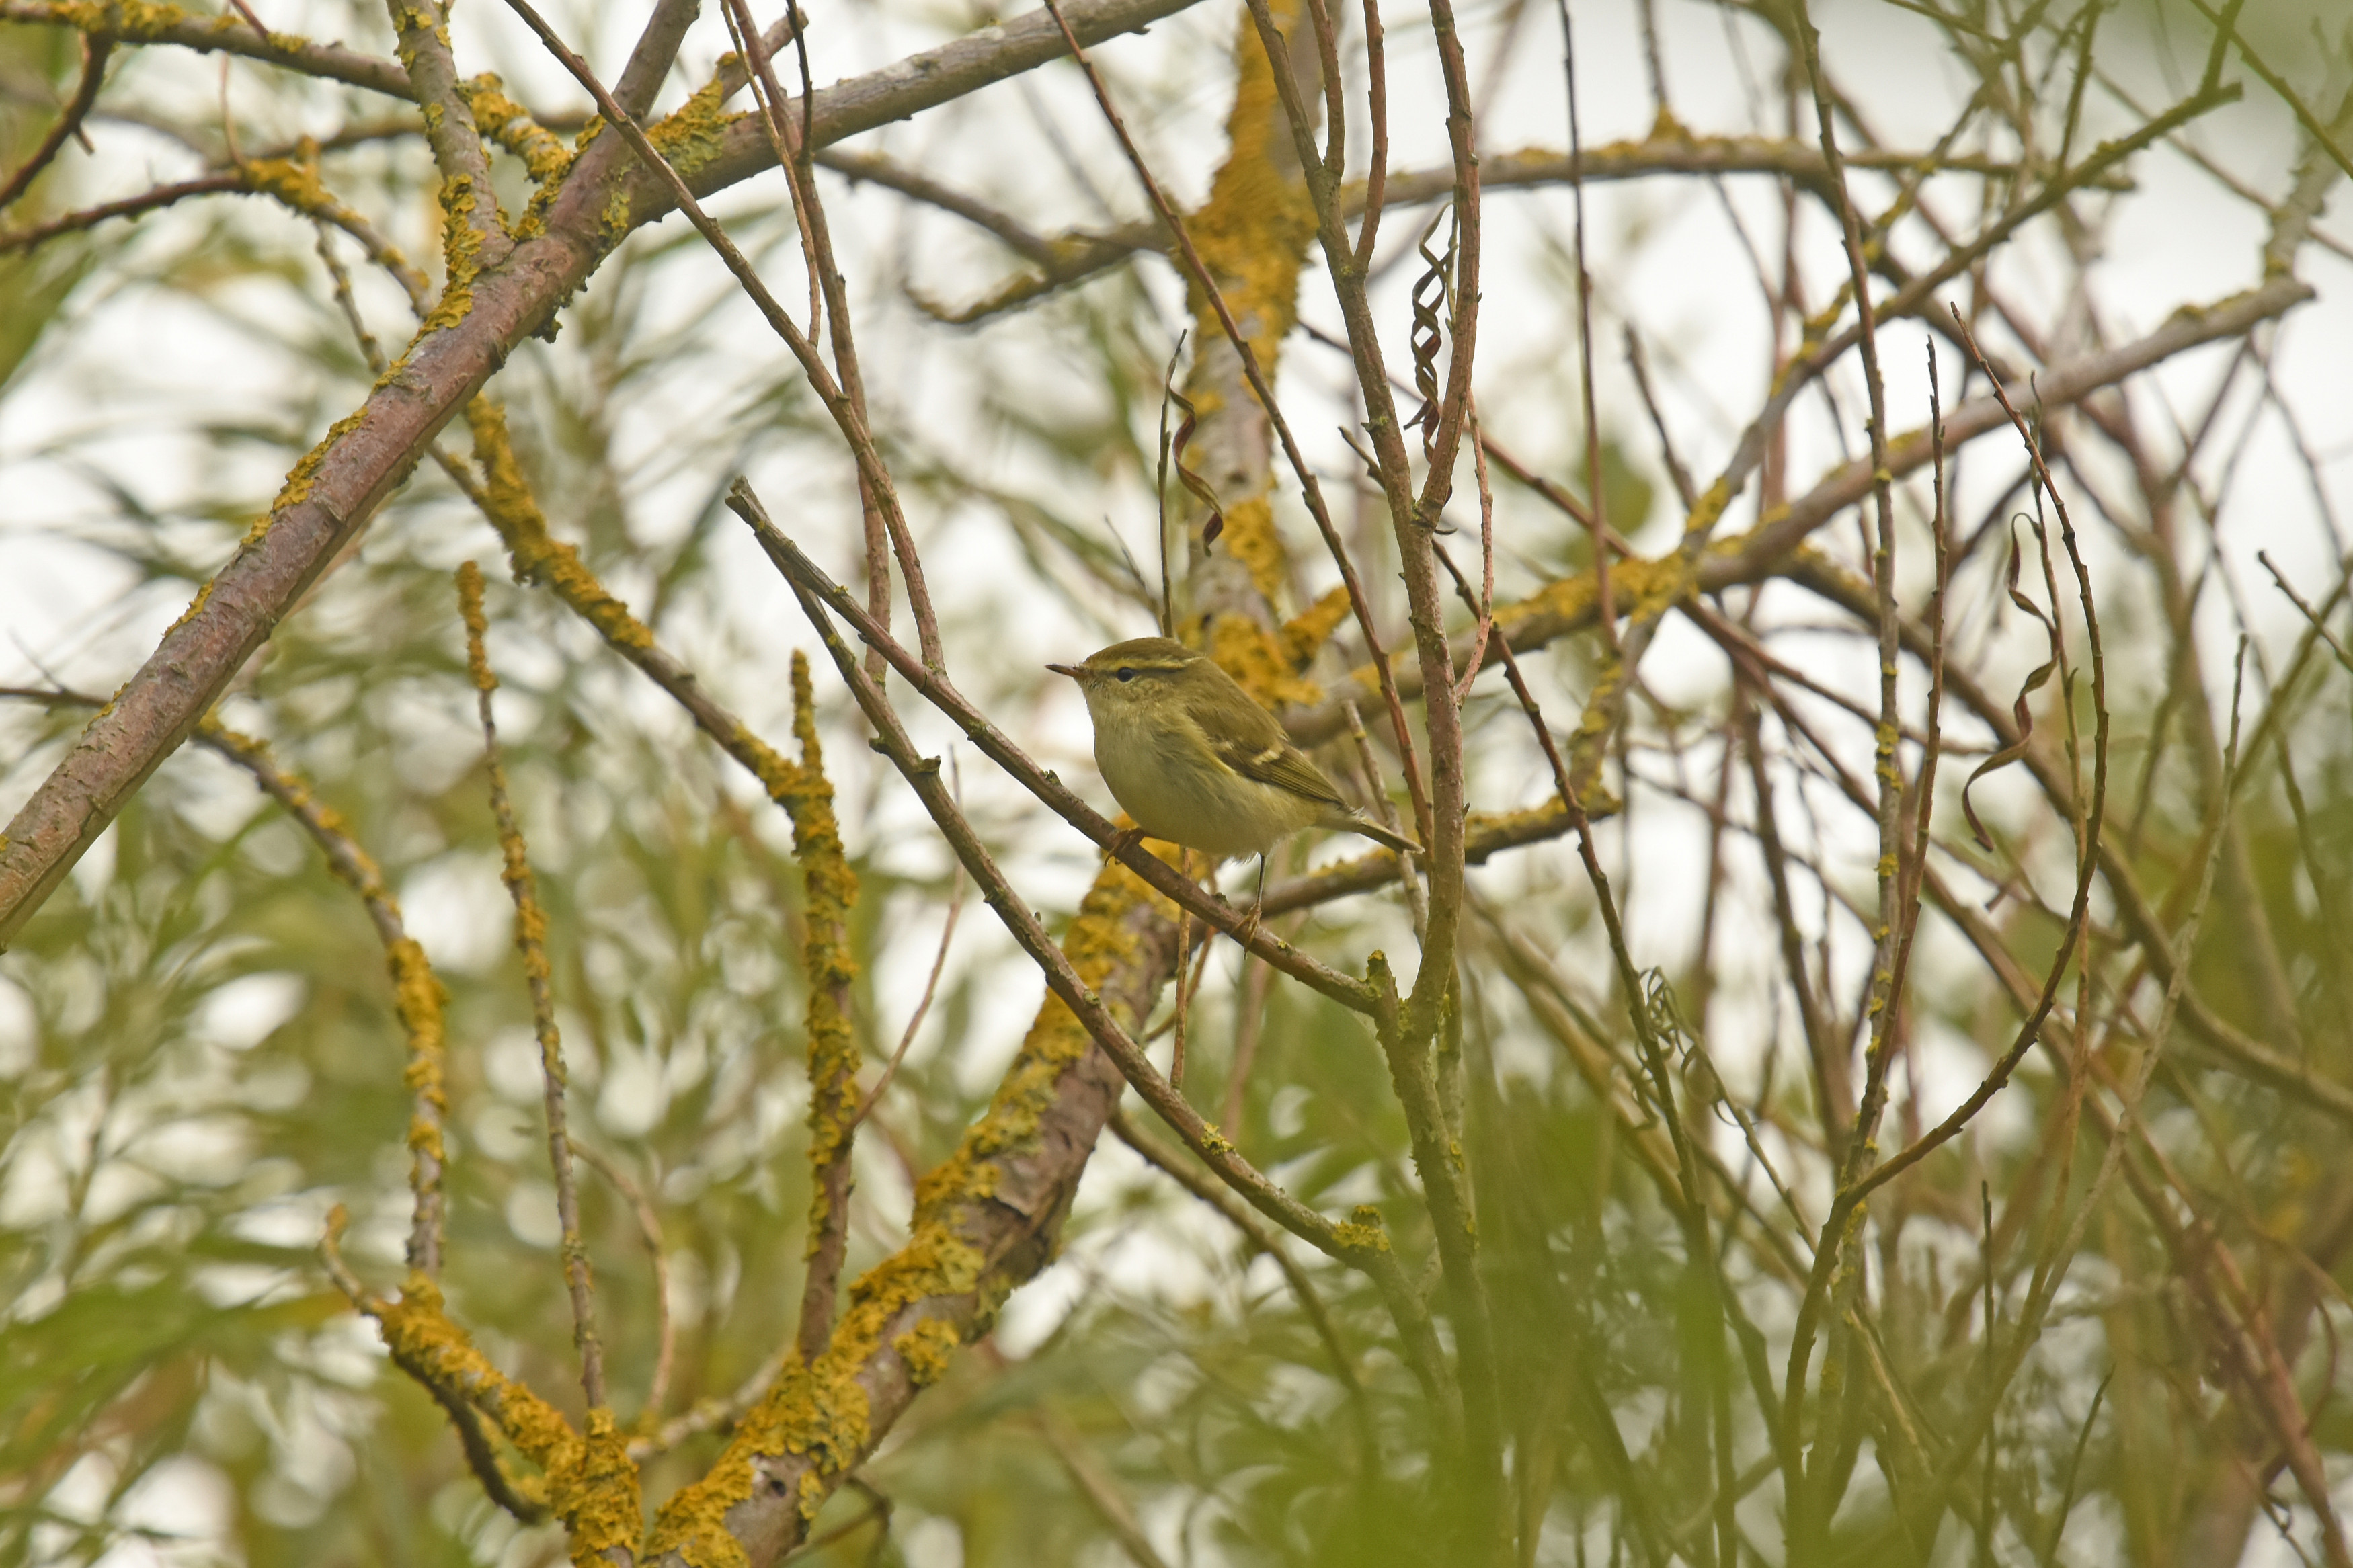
(1199, 763)
